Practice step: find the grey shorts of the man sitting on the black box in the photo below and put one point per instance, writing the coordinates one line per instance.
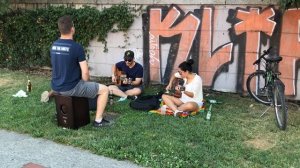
(83, 89)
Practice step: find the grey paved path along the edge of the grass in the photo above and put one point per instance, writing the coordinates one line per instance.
(18, 150)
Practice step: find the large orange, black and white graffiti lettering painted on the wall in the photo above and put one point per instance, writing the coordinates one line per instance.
(193, 34)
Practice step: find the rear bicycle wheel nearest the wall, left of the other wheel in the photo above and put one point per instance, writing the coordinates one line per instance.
(256, 87)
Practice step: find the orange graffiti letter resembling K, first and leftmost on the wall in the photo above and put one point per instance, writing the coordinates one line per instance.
(165, 27)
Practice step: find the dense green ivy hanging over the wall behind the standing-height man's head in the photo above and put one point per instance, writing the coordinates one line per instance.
(26, 35)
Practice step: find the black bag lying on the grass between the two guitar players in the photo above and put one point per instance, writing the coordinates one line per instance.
(146, 103)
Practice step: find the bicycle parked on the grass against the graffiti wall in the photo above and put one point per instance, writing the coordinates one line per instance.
(266, 87)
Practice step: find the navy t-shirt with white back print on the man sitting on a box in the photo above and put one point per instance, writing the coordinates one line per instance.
(65, 57)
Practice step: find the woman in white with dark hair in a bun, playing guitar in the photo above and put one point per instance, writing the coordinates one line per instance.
(191, 97)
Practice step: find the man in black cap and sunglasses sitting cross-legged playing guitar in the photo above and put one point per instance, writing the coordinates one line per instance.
(131, 78)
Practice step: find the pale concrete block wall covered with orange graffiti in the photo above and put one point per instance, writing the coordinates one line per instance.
(224, 37)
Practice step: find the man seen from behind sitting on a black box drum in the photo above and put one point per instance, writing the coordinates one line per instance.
(70, 72)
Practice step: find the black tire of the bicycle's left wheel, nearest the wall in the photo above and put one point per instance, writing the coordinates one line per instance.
(253, 95)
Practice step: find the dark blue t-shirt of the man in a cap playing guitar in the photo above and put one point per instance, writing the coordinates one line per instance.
(135, 72)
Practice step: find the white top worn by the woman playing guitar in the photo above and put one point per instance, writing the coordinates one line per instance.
(195, 86)
